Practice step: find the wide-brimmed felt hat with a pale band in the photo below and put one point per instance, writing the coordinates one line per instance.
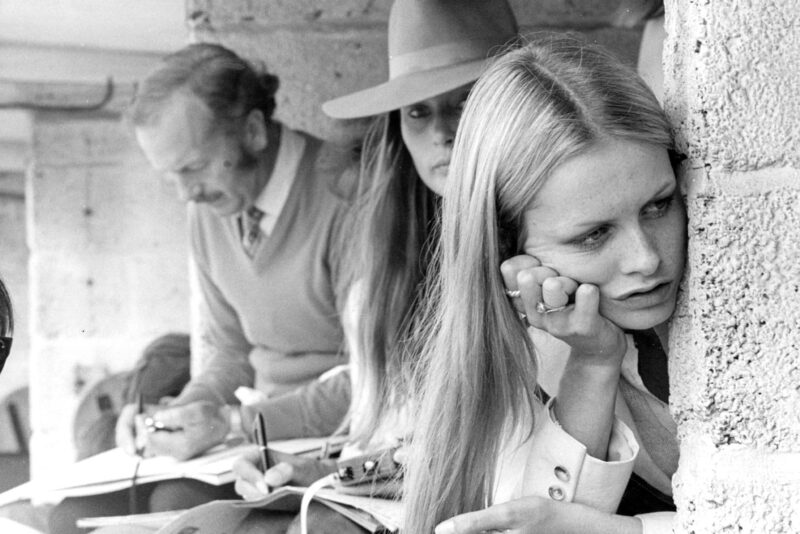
(435, 46)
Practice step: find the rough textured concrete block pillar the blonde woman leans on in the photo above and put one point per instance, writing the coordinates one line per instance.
(732, 81)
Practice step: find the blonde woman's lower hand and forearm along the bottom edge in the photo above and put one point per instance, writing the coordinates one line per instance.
(538, 515)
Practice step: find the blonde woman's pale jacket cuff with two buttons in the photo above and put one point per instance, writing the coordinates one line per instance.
(559, 467)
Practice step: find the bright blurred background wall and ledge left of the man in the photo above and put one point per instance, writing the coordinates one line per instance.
(94, 250)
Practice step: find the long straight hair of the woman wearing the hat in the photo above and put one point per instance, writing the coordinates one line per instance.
(387, 254)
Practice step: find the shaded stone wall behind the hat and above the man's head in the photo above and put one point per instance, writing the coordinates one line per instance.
(321, 49)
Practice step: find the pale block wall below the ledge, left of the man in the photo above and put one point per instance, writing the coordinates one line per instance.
(107, 268)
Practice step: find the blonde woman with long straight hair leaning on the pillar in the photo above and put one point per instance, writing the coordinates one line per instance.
(562, 173)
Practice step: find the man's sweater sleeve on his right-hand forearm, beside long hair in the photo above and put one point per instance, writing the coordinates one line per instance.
(315, 410)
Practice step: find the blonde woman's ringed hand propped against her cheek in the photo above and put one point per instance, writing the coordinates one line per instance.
(562, 307)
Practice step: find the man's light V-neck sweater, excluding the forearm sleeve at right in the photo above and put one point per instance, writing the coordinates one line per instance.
(272, 318)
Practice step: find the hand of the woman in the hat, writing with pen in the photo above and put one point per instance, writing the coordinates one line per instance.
(252, 484)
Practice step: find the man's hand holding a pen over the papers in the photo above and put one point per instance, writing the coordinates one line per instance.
(183, 431)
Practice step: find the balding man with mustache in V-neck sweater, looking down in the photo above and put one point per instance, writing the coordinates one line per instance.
(265, 203)
